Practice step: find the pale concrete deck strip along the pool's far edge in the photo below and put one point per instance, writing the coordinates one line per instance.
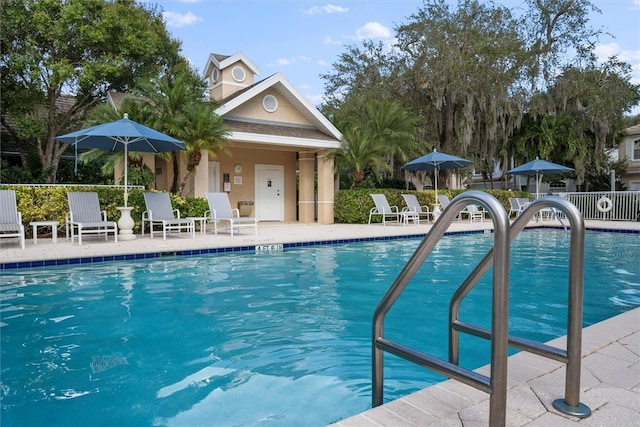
(95, 248)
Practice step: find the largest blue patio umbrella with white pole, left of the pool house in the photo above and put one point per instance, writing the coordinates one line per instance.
(122, 135)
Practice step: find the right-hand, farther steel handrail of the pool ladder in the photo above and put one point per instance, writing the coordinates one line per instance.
(572, 355)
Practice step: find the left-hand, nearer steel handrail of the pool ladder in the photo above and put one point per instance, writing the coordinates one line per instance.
(496, 384)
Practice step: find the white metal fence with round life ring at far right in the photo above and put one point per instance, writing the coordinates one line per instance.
(606, 205)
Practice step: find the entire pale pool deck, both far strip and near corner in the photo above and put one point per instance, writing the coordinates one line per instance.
(610, 380)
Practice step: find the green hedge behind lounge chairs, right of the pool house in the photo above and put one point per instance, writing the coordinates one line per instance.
(353, 206)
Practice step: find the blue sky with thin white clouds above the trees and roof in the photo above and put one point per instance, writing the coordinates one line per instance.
(303, 38)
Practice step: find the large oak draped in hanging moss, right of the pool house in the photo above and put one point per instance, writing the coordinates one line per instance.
(474, 70)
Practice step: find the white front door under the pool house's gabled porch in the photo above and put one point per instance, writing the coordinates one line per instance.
(269, 204)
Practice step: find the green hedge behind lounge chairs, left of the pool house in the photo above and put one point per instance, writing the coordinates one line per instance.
(50, 204)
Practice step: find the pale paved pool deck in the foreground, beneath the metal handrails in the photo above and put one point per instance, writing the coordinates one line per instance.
(610, 387)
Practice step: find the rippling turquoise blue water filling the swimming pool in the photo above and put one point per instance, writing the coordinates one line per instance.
(276, 339)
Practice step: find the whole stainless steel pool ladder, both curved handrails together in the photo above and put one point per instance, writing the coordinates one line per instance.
(498, 257)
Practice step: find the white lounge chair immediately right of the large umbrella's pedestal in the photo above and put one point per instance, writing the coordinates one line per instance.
(160, 212)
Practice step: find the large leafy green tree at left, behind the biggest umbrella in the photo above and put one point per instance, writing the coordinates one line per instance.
(61, 57)
